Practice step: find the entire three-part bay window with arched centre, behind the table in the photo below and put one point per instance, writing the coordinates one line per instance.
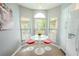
(39, 24)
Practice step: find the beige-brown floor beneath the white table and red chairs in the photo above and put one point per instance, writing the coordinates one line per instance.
(53, 52)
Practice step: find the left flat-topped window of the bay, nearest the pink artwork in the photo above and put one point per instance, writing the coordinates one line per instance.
(25, 28)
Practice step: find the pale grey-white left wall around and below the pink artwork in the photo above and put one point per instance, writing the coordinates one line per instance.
(10, 39)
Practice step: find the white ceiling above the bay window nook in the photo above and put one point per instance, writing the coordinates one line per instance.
(40, 6)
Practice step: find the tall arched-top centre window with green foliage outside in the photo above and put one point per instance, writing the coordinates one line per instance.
(39, 23)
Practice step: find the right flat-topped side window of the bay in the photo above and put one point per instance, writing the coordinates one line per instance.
(53, 28)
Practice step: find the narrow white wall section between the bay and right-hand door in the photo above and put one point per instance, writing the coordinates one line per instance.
(63, 28)
